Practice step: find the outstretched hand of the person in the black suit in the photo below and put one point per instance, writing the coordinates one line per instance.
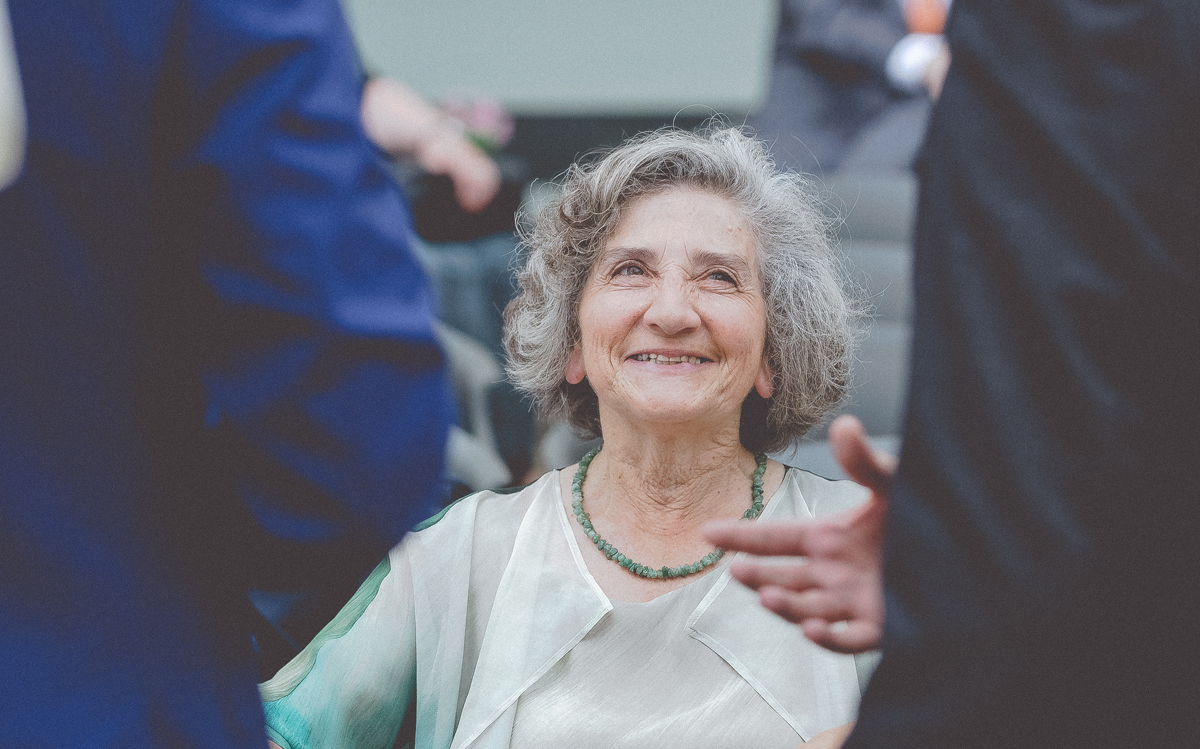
(837, 595)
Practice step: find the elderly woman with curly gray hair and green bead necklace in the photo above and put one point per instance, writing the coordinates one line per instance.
(680, 301)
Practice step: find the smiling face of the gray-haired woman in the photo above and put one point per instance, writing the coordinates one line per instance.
(673, 320)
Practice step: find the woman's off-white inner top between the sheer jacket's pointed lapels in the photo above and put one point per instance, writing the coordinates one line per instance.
(668, 690)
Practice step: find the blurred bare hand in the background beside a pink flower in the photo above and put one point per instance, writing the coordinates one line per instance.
(400, 122)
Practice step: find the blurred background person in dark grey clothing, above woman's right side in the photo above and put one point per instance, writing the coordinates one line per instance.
(851, 83)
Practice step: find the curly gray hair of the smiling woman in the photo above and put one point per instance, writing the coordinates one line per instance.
(809, 317)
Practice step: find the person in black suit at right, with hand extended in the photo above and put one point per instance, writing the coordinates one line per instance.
(1041, 562)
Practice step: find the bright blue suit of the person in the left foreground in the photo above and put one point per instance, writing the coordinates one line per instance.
(219, 371)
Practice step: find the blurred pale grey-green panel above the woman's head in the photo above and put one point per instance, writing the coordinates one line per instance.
(575, 58)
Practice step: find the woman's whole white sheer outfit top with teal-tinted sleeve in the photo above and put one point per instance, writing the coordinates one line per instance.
(487, 631)
